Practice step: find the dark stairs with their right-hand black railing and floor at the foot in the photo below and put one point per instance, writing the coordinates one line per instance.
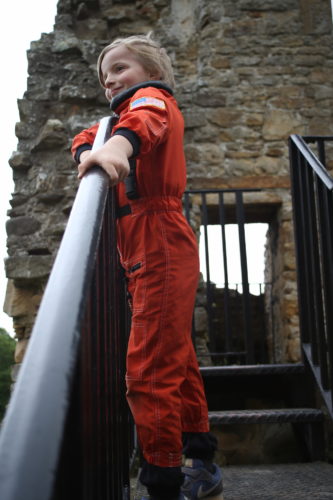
(259, 396)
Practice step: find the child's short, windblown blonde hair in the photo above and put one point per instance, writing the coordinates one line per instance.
(148, 52)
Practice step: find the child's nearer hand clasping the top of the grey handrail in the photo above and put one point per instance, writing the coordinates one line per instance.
(112, 157)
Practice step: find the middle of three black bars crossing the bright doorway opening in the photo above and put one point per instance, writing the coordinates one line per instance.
(226, 303)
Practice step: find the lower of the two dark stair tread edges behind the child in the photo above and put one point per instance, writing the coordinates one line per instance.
(274, 415)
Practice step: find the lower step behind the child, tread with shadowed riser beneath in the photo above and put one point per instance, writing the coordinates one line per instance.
(302, 429)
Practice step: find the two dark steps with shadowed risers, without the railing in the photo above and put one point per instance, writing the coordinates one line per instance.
(243, 400)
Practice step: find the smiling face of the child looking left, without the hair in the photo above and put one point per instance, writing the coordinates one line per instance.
(121, 70)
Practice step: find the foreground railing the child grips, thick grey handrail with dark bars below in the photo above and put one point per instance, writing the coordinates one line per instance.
(65, 434)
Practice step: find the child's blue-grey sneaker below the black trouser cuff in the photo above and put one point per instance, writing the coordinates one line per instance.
(199, 483)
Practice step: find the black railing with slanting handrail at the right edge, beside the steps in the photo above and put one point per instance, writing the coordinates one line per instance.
(312, 192)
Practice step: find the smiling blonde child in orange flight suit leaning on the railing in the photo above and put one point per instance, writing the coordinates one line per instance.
(158, 251)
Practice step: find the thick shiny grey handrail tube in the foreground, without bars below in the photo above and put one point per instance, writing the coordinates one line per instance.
(32, 431)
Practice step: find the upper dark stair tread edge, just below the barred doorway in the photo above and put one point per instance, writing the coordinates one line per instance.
(264, 369)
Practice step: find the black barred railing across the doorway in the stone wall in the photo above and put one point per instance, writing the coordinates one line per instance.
(235, 312)
